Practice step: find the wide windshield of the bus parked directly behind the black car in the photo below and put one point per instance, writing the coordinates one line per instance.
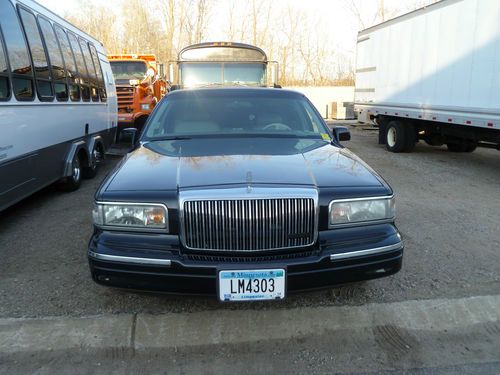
(199, 74)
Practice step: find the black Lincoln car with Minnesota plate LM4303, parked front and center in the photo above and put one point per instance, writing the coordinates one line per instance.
(243, 194)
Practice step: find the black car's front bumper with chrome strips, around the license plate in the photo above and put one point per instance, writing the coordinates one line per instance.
(158, 262)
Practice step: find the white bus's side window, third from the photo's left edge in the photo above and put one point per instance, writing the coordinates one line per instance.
(38, 55)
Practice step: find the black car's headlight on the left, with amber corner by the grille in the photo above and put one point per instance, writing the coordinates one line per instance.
(131, 215)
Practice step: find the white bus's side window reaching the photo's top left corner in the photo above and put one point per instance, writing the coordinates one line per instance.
(19, 59)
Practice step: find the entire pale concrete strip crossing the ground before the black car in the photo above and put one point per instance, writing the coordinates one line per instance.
(228, 327)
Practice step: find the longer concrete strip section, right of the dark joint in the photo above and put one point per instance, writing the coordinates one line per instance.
(233, 327)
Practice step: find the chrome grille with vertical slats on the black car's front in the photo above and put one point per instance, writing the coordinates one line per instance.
(249, 224)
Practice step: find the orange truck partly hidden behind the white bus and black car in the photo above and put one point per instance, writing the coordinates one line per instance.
(139, 86)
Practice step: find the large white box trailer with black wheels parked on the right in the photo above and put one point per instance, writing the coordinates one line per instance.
(433, 75)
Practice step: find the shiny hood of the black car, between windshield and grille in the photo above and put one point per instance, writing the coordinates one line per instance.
(190, 163)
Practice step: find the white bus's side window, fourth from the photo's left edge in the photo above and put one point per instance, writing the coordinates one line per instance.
(56, 60)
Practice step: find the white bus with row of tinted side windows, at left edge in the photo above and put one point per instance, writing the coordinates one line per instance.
(58, 110)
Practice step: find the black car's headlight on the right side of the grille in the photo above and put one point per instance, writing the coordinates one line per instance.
(347, 211)
